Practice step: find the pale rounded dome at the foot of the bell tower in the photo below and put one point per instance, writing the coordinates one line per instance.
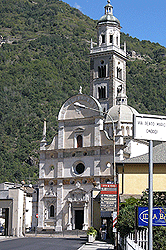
(122, 112)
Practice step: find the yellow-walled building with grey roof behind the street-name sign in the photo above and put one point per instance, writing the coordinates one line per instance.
(133, 173)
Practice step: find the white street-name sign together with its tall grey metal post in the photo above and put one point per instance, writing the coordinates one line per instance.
(150, 127)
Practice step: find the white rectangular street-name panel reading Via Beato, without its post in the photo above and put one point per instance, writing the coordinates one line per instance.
(150, 127)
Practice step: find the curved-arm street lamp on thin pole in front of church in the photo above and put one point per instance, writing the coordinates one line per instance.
(77, 104)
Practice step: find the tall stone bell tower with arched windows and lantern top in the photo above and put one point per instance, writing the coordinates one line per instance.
(108, 61)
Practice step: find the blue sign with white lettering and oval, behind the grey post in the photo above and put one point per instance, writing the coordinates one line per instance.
(159, 216)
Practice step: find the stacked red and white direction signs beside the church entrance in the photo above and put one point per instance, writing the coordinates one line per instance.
(109, 199)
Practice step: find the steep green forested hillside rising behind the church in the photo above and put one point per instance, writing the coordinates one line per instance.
(43, 61)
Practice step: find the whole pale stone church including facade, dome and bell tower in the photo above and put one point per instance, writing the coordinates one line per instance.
(94, 132)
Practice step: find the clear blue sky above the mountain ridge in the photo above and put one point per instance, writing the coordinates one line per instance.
(143, 19)
